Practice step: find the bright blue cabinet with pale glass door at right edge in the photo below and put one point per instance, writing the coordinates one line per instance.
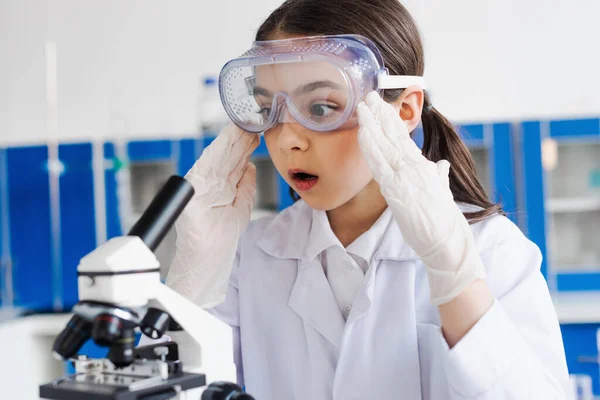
(561, 176)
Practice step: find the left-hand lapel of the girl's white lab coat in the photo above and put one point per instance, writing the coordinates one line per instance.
(312, 299)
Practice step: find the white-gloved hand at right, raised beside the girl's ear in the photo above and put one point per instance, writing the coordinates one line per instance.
(418, 193)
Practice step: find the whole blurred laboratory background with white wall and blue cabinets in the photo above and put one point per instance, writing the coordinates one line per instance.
(101, 101)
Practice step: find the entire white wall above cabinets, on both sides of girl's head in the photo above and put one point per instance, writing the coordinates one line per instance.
(132, 66)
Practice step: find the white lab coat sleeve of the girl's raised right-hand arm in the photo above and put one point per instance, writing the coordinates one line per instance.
(515, 351)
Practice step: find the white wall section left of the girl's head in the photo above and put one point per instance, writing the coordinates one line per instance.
(123, 65)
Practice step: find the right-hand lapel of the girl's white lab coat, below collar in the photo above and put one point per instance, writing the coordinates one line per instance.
(384, 339)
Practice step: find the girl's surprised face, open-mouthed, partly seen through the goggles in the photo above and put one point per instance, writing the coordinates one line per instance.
(326, 169)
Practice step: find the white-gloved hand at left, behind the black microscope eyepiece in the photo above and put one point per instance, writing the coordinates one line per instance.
(209, 227)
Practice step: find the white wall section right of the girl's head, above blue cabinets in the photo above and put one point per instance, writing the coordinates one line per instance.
(511, 59)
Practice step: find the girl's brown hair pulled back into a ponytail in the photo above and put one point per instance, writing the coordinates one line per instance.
(389, 25)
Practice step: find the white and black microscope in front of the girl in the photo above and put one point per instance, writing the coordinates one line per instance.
(120, 291)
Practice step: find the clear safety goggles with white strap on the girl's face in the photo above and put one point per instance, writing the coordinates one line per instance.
(315, 81)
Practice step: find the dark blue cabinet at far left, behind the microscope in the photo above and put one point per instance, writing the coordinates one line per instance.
(44, 261)
